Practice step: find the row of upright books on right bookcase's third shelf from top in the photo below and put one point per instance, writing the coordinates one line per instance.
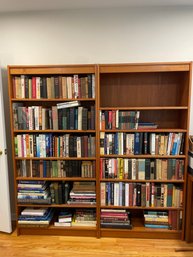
(141, 143)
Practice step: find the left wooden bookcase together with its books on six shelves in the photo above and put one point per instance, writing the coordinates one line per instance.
(54, 143)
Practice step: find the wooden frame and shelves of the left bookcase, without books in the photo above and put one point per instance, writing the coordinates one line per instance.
(52, 70)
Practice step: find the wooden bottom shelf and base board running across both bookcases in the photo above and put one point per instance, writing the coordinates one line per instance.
(136, 232)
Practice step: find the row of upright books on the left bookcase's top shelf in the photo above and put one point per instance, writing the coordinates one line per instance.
(49, 87)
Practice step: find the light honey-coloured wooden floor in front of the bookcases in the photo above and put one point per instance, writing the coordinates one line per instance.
(53, 246)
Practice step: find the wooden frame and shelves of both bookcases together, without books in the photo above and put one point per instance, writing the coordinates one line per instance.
(160, 91)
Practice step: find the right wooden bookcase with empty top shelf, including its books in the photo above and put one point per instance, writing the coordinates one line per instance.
(143, 116)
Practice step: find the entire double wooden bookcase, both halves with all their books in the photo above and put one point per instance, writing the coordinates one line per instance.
(101, 150)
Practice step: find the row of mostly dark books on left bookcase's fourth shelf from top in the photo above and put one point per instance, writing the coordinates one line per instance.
(58, 169)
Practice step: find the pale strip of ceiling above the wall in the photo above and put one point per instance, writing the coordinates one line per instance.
(40, 5)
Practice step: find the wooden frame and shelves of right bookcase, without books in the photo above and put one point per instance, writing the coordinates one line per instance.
(161, 92)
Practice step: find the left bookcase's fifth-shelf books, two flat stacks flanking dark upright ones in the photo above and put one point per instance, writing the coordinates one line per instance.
(60, 192)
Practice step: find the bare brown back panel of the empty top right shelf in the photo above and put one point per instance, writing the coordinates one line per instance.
(144, 89)
